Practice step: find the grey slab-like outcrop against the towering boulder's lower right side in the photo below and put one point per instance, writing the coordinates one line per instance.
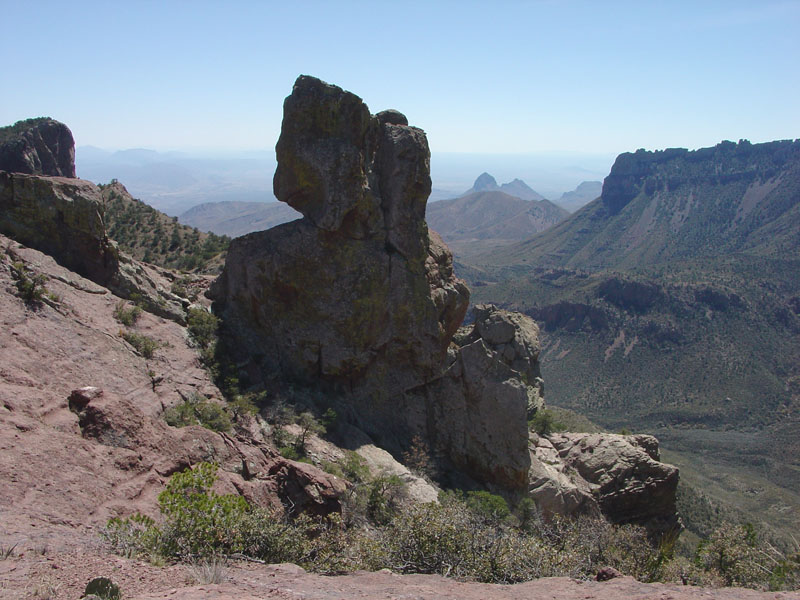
(479, 409)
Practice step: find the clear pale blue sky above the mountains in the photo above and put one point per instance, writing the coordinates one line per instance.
(501, 77)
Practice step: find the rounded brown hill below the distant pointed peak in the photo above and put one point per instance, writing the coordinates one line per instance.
(483, 220)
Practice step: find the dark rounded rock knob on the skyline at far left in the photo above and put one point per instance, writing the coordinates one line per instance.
(37, 147)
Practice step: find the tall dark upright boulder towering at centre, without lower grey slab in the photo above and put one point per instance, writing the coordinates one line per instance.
(357, 295)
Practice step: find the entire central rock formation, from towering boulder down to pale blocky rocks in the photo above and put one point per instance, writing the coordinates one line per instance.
(359, 298)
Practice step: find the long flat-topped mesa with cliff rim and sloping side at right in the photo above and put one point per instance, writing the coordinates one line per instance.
(657, 207)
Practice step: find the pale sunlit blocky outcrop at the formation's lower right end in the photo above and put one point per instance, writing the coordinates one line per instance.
(619, 476)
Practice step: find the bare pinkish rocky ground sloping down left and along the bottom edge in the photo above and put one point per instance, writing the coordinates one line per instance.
(60, 485)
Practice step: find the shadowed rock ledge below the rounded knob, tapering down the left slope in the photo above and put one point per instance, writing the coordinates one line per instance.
(63, 218)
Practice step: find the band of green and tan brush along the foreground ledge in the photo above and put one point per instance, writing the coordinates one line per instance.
(471, 536)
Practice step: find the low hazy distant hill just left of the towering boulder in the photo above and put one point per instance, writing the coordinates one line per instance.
(238, 218)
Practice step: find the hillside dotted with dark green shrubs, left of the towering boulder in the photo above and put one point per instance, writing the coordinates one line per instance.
(149, 235)
